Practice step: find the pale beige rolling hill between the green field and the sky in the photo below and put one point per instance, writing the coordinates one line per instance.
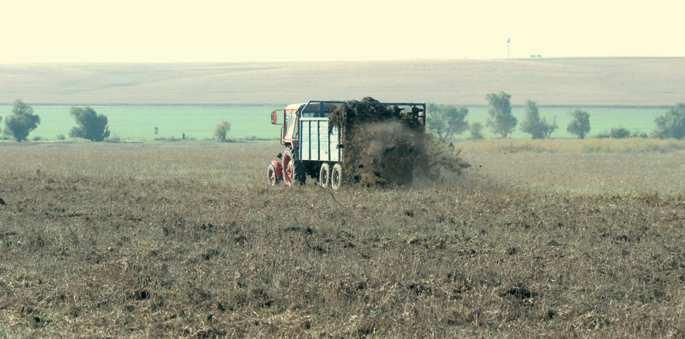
(583, 81)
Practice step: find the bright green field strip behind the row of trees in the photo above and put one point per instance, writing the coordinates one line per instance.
(137, 122)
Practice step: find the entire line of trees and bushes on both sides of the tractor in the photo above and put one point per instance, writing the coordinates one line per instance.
(446, 121)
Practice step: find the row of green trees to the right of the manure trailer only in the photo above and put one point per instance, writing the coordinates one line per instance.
(448, 121)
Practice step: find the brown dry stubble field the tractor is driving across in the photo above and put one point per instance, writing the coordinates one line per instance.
(186, 240)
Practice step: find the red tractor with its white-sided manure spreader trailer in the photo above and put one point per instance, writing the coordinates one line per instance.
(311, 148)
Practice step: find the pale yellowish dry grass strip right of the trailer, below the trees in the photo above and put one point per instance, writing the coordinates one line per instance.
(596, 166)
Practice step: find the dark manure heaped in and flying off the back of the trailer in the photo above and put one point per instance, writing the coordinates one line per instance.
(385, 144)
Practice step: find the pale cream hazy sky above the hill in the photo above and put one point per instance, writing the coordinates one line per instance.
(212, 30)
